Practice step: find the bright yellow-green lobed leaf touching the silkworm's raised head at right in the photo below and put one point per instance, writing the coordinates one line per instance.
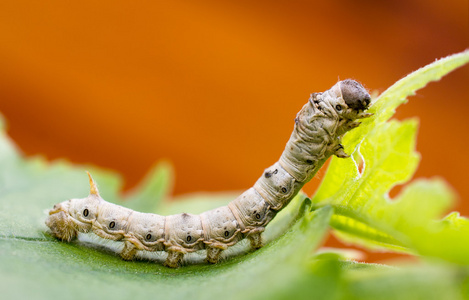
(385, 150)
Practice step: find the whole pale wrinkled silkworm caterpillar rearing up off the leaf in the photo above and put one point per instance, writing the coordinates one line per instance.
(318, 129)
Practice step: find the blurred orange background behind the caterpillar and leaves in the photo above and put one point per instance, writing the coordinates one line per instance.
(214, 86)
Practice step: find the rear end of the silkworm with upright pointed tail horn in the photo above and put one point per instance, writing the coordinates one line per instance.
(68, 218)
